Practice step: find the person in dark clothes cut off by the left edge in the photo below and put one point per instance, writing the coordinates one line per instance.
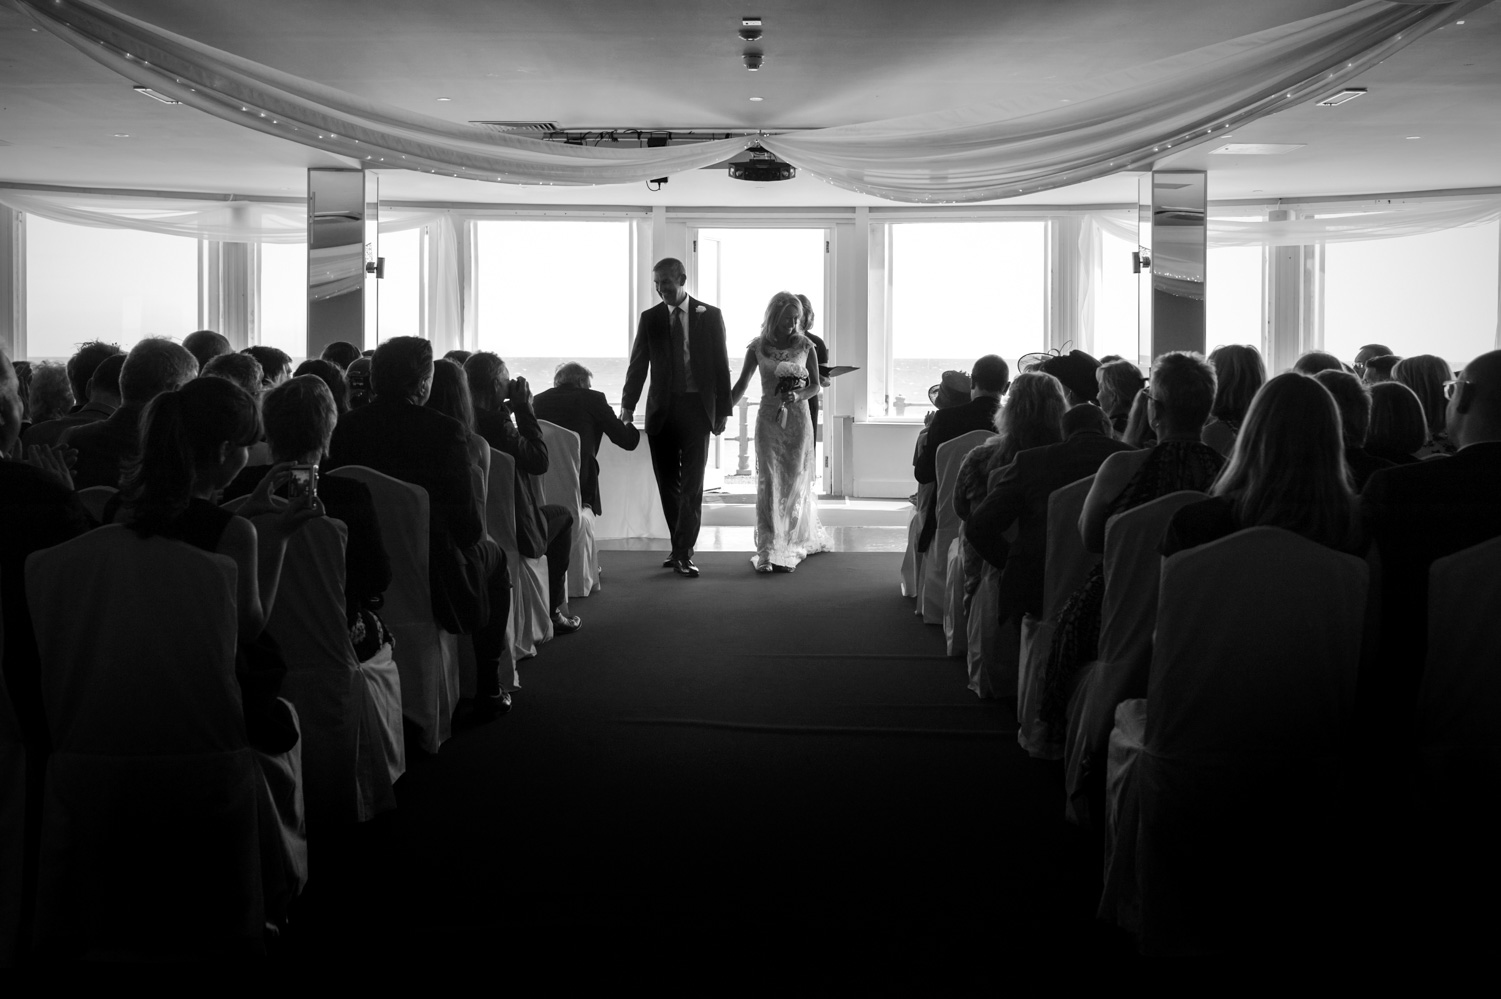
(40, 509)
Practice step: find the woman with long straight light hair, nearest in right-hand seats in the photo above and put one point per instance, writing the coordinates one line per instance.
(1287, 472)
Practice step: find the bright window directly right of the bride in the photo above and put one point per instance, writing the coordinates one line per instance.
(960, 290)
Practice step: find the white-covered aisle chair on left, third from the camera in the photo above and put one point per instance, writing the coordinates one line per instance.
(427, 656)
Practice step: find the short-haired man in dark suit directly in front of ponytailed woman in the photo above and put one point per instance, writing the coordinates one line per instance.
(154, 367)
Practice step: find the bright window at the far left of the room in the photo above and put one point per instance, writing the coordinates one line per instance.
(119, 286)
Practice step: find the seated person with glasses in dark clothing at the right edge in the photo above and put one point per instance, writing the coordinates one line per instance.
(1422, 512)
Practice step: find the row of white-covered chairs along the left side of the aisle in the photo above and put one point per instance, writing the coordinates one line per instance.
(164, 833)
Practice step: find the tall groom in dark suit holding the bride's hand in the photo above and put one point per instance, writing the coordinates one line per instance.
(684, 344)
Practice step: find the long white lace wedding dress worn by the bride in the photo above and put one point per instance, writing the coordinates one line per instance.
(787, 527)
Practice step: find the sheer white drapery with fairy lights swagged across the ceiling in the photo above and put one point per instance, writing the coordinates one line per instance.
(982, 152)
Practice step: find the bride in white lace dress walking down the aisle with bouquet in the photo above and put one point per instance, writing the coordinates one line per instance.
(787, 527)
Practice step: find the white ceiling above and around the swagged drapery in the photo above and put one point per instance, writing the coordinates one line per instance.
(633, 64)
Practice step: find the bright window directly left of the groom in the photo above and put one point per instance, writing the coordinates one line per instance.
(553, 292)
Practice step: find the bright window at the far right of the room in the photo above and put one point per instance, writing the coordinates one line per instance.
(1418, 295)
